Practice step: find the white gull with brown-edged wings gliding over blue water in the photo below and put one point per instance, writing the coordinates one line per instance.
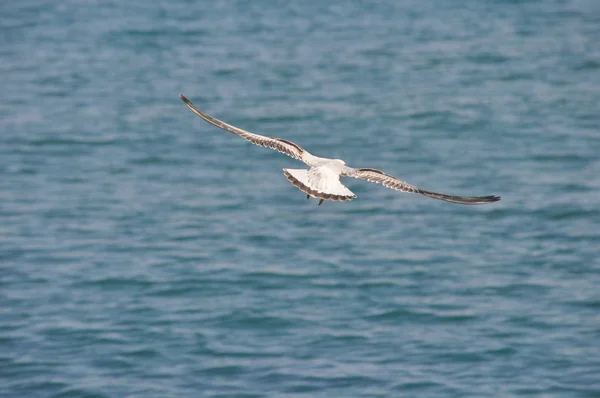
(323, 179)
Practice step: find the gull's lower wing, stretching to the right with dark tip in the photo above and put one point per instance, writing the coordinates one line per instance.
(392, 182)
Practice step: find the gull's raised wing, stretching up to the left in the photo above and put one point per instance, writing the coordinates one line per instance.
(284, 146)
